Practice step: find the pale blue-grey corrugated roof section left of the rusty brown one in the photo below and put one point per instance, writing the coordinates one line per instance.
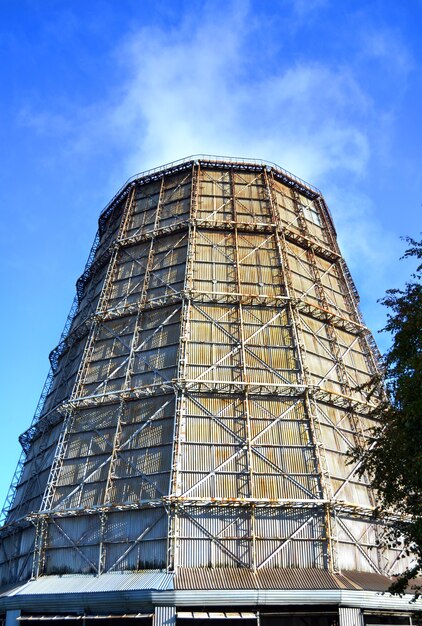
(116, 581)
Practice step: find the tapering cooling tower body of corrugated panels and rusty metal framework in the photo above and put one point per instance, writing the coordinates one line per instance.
(205, 391)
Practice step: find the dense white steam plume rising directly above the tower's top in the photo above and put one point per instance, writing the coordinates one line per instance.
(192, 91)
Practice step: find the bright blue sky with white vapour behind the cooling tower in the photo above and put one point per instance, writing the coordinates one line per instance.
(93, 92)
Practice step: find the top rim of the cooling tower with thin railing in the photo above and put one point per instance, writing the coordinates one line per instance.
(219, 162)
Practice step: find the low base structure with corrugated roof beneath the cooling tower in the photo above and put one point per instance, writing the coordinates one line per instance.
(211, 598)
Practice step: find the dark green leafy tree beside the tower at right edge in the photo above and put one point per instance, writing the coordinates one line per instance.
(394, 462)
